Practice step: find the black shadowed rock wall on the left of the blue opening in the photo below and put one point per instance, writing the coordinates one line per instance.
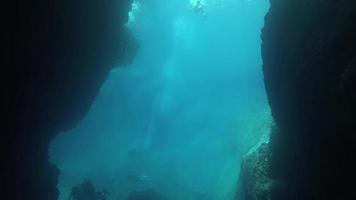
(57, 55)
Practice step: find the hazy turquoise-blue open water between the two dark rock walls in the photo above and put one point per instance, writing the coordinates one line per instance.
(181, 117)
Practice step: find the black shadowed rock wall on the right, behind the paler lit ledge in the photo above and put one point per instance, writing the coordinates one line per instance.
(309, 53)
